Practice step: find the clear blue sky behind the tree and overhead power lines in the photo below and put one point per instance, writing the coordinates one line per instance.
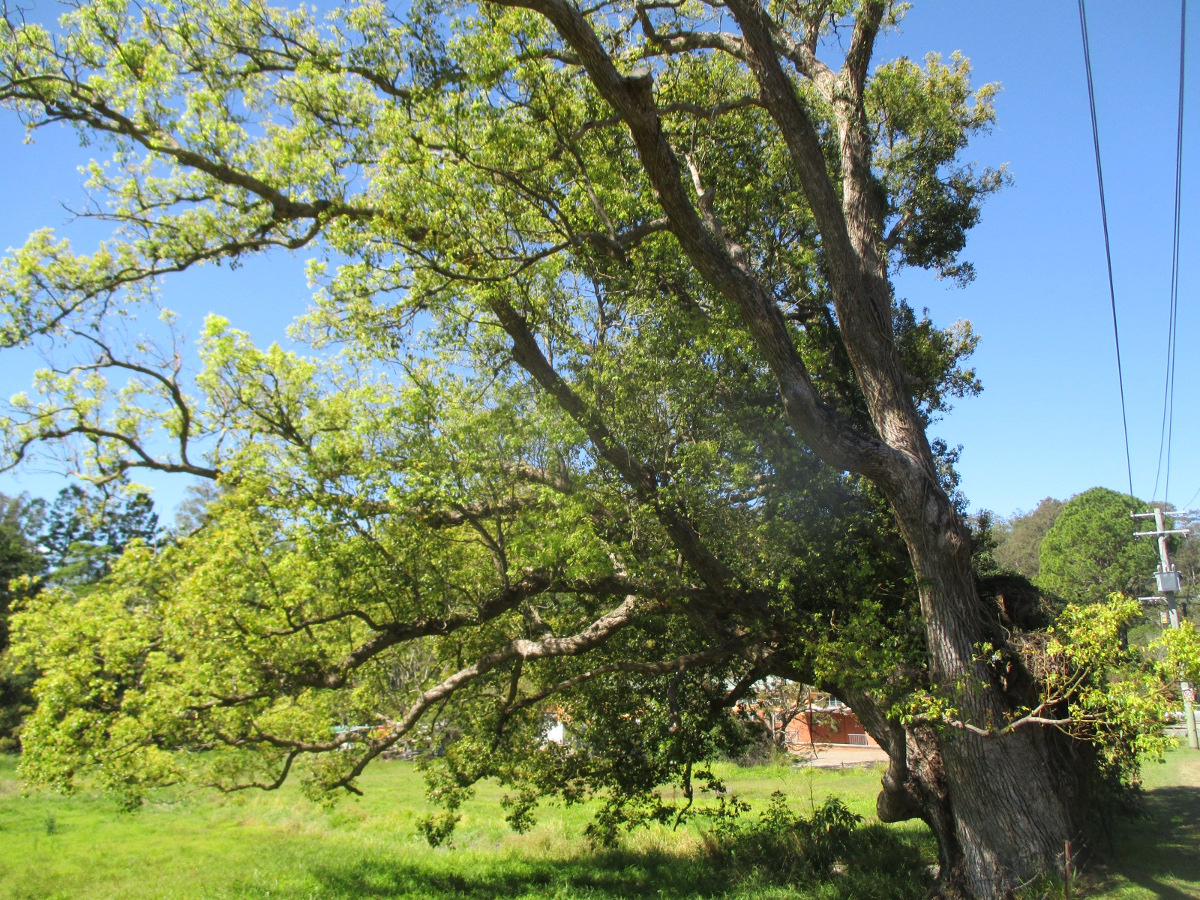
(1049, 419)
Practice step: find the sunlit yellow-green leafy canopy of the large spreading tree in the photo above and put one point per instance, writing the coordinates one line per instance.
(532, 452)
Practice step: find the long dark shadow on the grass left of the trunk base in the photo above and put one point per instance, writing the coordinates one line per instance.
(897, 874)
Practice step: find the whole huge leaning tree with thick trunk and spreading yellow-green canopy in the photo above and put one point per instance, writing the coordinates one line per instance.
(613, 405)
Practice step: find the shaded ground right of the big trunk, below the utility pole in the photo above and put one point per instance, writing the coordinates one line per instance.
(1159, 847)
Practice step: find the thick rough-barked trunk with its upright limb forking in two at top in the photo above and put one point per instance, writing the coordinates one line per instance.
(1001, 807)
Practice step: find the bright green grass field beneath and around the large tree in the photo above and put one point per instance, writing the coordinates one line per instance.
(280, 845)
